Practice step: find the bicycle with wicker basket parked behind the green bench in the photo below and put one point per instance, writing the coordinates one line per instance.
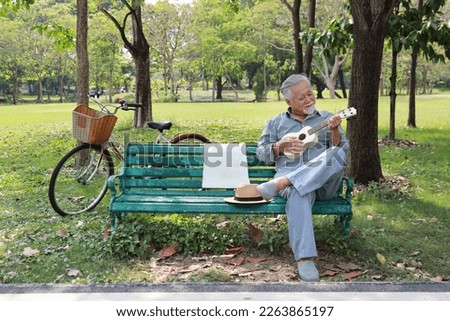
(79, 181)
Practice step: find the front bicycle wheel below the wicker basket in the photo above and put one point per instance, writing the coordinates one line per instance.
(79, 181)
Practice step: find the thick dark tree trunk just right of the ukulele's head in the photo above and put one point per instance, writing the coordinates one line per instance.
(370, 22)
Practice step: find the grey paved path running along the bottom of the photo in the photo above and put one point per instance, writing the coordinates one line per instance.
(382, 291)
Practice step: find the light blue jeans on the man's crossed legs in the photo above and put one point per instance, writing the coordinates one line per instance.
(319, 178)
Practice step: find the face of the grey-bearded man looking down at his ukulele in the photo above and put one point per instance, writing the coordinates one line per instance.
(303, 100)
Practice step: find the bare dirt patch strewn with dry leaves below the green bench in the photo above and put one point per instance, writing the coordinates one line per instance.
(248, 265)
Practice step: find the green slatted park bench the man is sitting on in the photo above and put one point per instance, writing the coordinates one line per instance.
(167, 179)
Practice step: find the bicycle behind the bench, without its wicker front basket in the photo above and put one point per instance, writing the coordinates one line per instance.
(79, 180)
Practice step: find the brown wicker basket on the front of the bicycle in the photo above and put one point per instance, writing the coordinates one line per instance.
(92, 126)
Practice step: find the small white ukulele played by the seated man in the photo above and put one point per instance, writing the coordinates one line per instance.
(309, 135)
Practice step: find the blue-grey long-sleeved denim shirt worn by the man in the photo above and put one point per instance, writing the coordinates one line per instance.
(285, 123)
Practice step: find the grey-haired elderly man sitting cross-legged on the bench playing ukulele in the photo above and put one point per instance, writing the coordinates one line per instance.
(308, 173)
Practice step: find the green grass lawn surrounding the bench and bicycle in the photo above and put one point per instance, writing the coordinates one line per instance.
(405, 226)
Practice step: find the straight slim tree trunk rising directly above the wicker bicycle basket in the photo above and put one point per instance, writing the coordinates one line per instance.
(82, 53)
